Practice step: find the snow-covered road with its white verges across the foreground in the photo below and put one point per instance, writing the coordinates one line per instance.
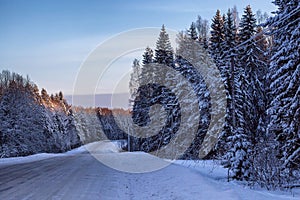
(78, 175)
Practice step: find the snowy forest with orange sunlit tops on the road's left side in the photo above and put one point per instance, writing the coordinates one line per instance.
(33, 121)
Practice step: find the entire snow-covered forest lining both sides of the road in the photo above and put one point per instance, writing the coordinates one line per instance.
(258, 60)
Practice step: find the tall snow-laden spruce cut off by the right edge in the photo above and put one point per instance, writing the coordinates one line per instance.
(284, 73)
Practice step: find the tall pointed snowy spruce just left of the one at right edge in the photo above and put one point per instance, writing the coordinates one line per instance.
(249, 96)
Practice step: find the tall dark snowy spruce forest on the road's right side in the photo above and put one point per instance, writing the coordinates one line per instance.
(258, 59)
